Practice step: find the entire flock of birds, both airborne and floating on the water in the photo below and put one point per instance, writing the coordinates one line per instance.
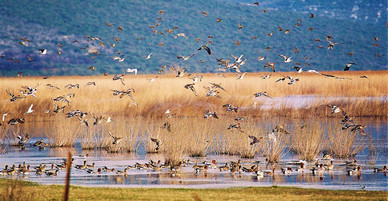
(322, 165)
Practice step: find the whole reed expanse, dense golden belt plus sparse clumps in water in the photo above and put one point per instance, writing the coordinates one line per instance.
(191, 135)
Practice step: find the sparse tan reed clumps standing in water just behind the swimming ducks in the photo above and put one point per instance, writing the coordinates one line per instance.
(199, 137)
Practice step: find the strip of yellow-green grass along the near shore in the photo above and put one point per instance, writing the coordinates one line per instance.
(21, 190)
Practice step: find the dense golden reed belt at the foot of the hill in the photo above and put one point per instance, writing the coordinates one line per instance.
(153, 98)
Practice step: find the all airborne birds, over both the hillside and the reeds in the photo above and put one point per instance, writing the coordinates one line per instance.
(212, 91)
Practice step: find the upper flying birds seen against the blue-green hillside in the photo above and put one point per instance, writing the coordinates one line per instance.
(94, 44)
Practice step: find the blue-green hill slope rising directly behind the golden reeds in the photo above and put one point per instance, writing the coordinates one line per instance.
(49, 24)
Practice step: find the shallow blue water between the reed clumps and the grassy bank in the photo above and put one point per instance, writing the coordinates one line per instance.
(188, 178)
